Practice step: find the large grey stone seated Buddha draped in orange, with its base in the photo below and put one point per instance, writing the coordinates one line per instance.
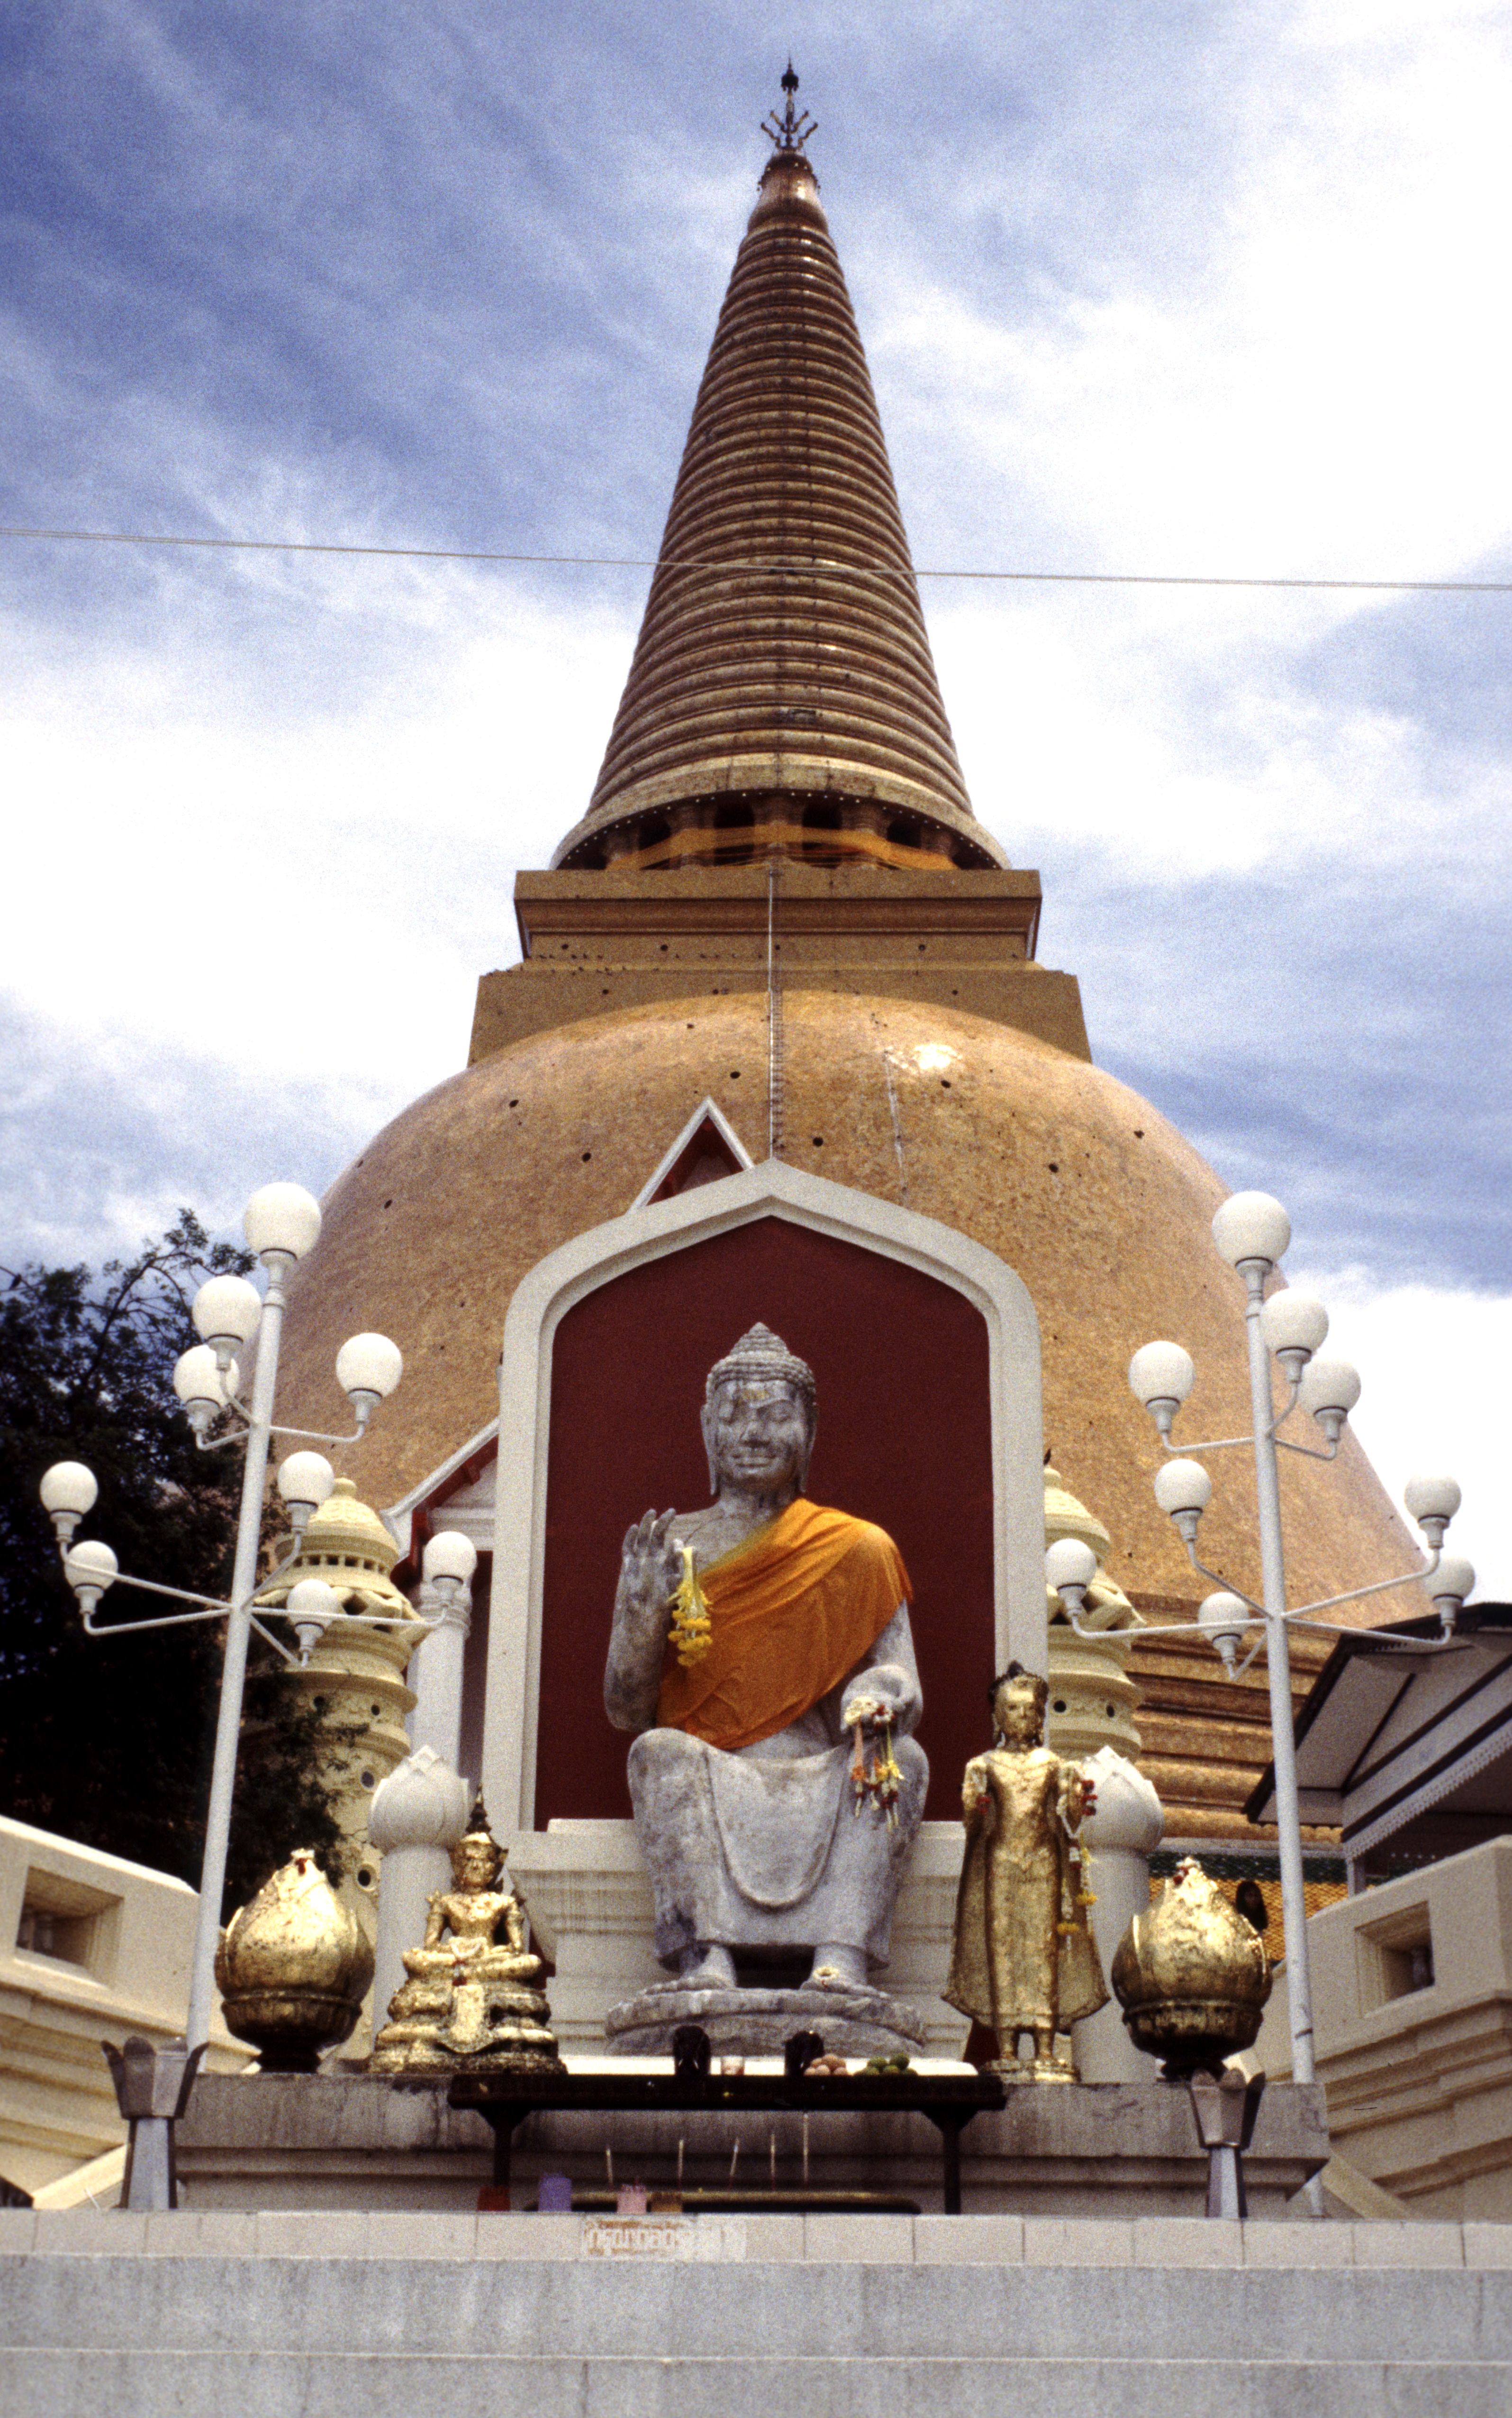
(763, 1660)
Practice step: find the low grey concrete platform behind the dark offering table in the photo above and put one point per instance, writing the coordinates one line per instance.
(1080, 2151)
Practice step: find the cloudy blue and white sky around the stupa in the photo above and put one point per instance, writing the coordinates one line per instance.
(1165, 289)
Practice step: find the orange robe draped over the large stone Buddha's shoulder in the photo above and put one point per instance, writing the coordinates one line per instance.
(795, 1609)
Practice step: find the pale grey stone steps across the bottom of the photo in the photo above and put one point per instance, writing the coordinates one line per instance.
(325, 2315)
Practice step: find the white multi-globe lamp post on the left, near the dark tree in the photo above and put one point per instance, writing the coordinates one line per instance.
(282, 1225)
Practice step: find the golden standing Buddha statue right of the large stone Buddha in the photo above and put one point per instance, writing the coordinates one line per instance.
(1025, 1960)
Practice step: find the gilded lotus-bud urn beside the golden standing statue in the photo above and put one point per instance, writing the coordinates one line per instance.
(1191, 1977)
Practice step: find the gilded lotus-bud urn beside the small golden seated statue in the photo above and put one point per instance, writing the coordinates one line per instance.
(294, 1969)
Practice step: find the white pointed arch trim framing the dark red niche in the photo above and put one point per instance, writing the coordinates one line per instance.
(666, 1227)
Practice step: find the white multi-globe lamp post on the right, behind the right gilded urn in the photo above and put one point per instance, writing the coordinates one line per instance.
(1252, 1234)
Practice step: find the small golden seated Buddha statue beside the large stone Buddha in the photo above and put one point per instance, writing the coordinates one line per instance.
(473, 1998)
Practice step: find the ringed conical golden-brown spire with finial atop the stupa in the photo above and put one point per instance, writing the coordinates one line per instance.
(783, 695)
